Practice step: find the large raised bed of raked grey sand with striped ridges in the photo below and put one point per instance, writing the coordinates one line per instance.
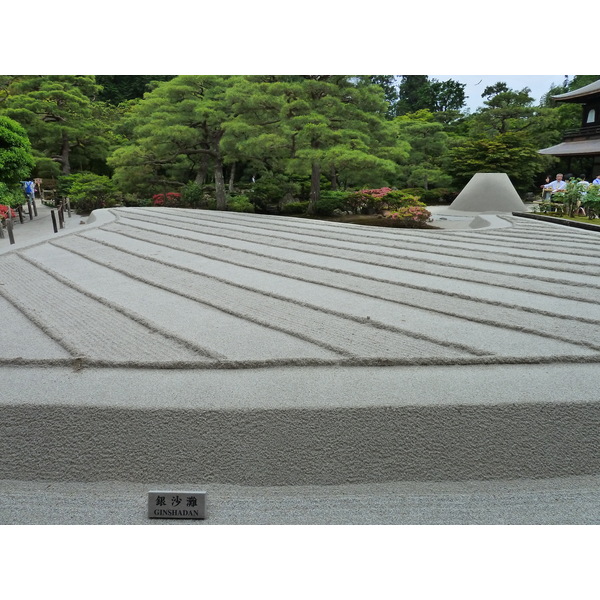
(170, 345)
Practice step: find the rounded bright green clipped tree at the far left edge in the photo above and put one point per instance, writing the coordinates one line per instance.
(16, 160)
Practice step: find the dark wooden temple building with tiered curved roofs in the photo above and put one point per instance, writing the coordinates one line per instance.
(584, 142)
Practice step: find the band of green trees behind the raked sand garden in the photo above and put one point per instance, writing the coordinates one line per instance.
(297, 136)
